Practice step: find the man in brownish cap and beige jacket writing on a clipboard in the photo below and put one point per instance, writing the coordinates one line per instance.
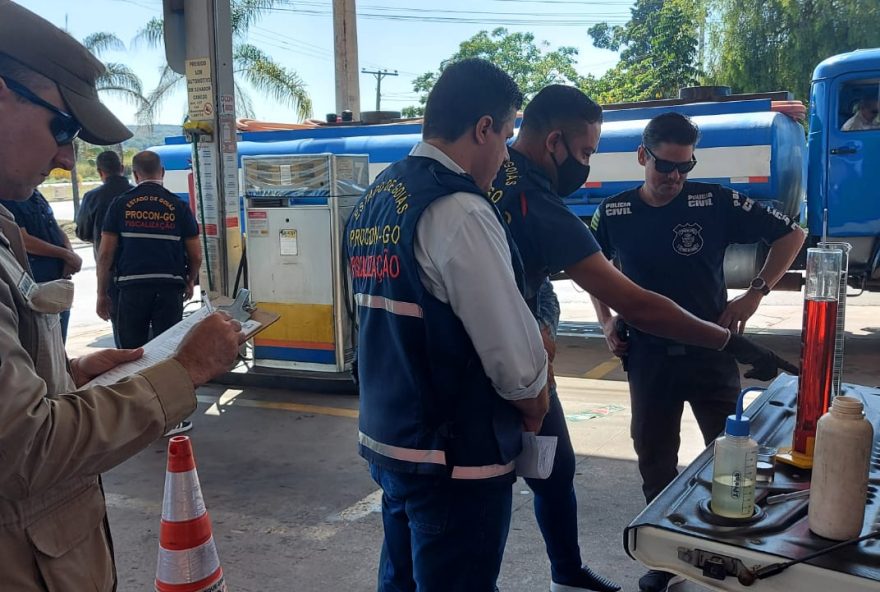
(56, 440)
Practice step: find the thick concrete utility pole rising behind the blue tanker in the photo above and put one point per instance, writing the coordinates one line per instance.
(348, 93)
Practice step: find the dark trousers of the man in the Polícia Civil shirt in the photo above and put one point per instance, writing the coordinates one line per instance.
(661, 379)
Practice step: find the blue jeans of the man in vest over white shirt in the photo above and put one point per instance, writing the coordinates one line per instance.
(441, 534)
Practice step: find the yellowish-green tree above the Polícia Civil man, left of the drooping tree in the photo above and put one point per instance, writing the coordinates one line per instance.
(659, 50)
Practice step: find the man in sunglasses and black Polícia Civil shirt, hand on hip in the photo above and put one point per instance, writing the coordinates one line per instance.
(670, 235)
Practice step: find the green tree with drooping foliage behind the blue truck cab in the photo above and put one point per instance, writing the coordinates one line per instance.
(764, 45)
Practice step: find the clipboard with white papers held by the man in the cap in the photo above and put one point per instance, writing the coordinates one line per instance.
(164, 346)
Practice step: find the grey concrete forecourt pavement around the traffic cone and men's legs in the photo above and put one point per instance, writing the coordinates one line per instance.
(294, 508)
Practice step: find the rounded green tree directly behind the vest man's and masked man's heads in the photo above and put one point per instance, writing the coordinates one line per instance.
(532, 65)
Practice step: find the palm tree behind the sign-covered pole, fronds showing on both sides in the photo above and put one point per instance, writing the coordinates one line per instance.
(250, 64)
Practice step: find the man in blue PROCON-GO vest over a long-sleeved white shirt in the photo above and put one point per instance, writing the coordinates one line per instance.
(451, 367)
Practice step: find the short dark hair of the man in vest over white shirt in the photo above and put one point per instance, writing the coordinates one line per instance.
(466, 91)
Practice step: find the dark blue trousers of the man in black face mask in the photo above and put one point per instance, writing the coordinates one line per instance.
(555, 499)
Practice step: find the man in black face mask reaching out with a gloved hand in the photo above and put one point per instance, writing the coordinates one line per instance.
(549, 160)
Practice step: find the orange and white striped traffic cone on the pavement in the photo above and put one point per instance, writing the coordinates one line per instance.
(188, 559)
